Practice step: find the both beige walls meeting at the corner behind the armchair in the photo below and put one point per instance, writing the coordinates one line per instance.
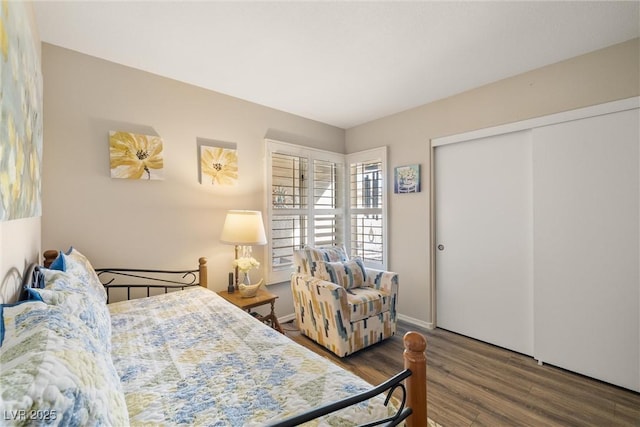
(171, 223)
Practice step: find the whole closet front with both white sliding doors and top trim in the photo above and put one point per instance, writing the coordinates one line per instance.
(537, 238)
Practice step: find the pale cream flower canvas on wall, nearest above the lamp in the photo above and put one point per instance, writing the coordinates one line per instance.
(218, 163)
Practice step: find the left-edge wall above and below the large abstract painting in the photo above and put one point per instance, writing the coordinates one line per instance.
(19, 238)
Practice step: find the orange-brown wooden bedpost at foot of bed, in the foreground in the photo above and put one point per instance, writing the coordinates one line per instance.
(415, 360)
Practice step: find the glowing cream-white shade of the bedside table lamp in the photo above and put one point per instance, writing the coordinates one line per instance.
(243, 228)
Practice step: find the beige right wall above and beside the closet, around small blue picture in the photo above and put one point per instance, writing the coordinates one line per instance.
(605, 75)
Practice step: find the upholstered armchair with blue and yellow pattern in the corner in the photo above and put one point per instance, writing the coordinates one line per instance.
(341, 304)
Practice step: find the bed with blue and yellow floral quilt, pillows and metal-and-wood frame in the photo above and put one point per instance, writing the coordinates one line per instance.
(176, 354)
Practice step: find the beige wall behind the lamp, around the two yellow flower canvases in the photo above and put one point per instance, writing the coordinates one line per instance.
(152, 224)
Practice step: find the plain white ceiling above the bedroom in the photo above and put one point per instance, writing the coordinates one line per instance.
(341, 63)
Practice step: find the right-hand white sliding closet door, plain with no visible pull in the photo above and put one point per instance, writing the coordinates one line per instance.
(586, 246)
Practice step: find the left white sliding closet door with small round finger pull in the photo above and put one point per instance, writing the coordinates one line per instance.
(483, 214)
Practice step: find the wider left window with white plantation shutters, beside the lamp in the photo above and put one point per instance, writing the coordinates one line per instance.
(306, 206)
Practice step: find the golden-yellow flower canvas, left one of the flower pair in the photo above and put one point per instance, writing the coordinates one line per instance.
(135, 156)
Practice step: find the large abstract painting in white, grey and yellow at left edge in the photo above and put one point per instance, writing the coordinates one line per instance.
(20, 115)
